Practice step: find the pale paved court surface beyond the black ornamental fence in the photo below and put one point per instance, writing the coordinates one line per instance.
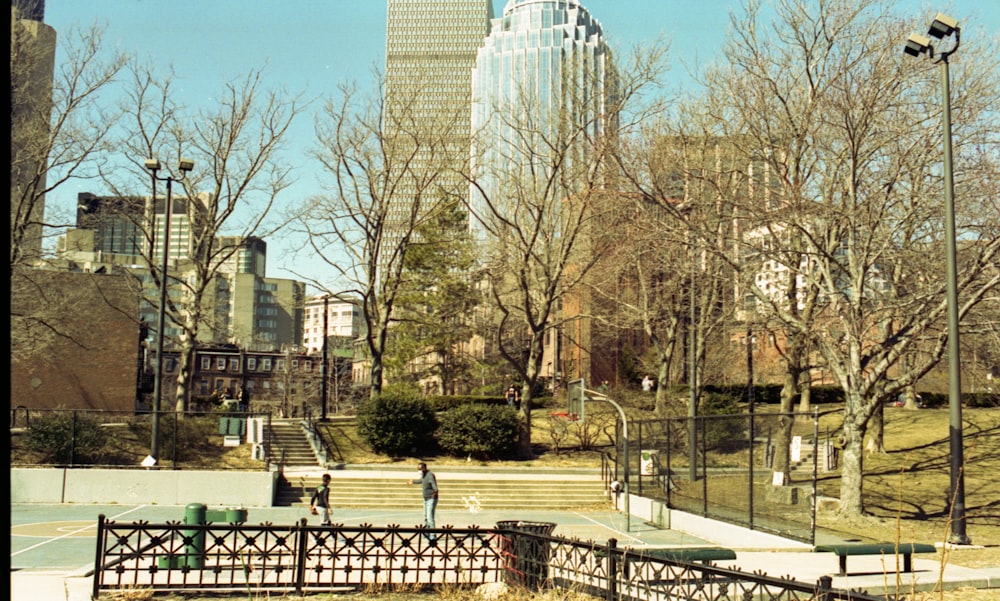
(53, 547)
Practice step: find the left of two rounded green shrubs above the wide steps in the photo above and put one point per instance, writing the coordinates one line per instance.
(396, 422)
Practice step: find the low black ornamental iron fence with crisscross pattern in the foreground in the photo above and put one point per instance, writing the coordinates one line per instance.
(300, 558)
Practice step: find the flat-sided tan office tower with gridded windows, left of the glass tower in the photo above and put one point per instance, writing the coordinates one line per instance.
(430, 51)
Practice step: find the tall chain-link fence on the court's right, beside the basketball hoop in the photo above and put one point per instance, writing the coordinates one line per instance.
(724, 467)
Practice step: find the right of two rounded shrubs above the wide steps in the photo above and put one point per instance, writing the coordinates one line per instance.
(479, 431)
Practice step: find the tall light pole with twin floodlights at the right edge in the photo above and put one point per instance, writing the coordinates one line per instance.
(944, 26)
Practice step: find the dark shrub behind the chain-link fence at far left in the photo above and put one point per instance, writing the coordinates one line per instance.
(66, 438)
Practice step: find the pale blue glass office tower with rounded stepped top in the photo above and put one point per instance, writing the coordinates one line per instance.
(540, 85)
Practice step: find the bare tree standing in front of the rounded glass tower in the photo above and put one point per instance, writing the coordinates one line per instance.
(535, 204)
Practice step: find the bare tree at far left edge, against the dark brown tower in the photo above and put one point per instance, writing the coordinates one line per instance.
(58, 132)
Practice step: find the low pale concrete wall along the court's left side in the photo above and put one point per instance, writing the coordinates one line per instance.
(154, 487)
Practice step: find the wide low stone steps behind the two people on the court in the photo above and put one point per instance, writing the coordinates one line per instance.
(462, 489)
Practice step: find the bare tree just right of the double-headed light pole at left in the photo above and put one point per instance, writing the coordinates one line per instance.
(238, 175)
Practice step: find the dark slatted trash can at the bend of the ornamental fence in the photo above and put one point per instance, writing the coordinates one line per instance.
(525, 554)
